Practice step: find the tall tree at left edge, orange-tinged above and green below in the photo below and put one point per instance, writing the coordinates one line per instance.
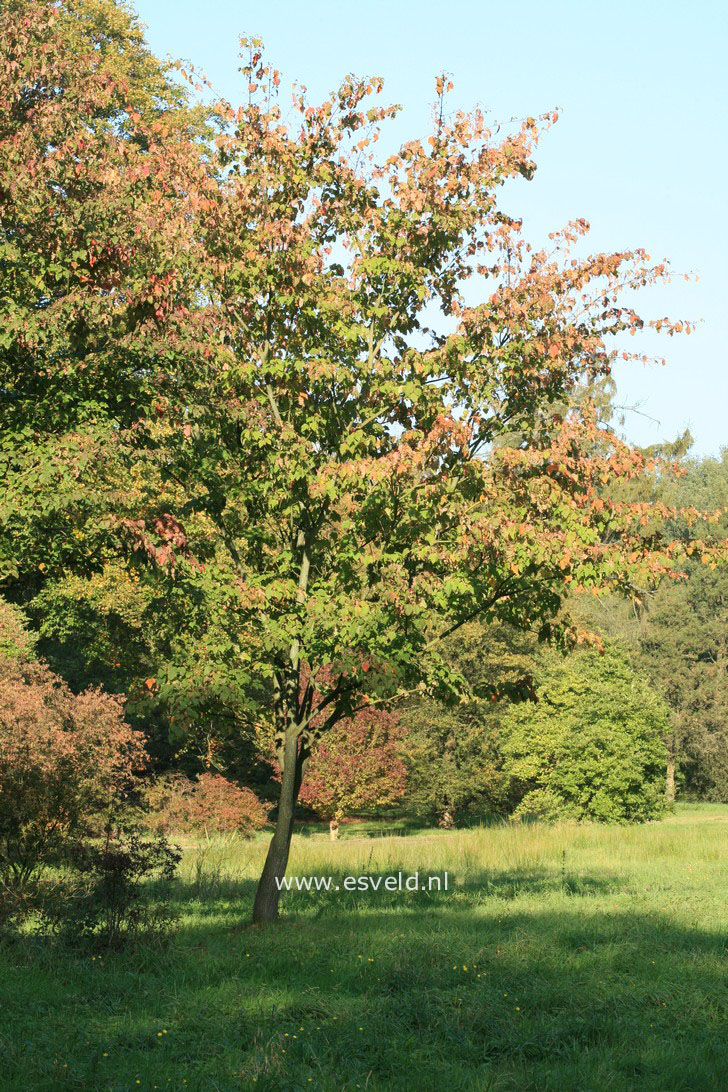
(103, 162)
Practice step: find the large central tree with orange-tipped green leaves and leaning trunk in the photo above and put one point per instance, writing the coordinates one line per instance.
(336, 420)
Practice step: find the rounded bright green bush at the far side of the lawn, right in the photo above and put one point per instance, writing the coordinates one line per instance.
(593, 747)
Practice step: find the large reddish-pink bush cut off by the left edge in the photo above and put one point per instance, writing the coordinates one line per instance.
(65, 759)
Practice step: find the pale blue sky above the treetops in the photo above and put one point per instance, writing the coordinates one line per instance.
(641, 149)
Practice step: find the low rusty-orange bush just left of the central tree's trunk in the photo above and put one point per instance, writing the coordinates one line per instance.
(210, 804)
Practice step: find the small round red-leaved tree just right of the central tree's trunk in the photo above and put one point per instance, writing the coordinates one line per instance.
(356, 767)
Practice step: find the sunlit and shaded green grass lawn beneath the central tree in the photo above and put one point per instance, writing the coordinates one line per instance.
(584, 958)
